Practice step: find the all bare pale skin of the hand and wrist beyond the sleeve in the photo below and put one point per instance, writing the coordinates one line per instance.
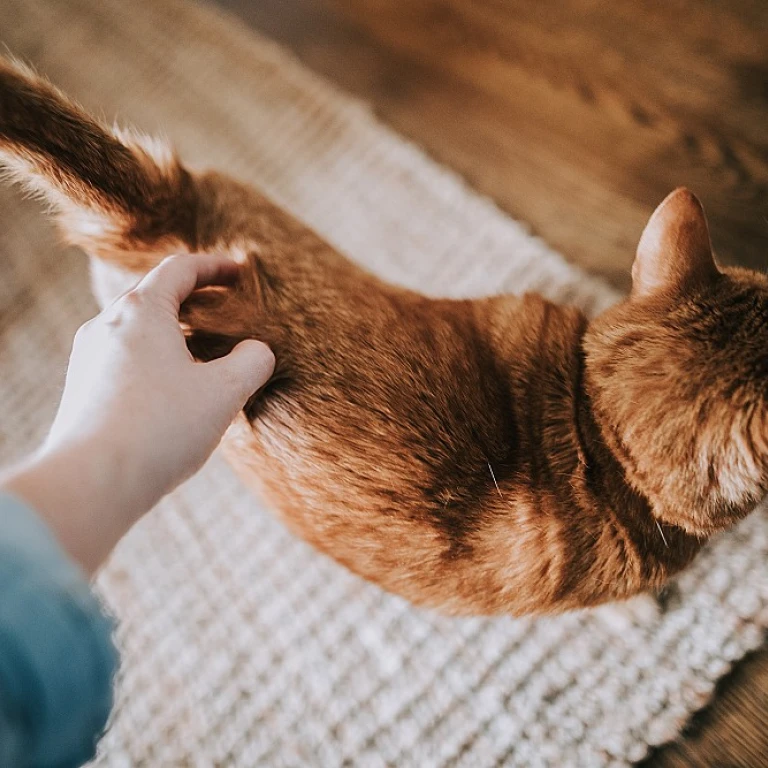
(138, 415)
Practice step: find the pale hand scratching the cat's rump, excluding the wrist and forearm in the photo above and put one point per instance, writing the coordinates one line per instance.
(134, 390)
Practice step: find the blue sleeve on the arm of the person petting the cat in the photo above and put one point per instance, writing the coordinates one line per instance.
(57, 658)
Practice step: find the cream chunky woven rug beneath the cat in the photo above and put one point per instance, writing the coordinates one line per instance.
(241, 645)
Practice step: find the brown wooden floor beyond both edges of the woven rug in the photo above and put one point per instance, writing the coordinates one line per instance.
(577, 117)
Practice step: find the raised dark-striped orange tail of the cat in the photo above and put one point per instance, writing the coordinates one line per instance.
(121, 196)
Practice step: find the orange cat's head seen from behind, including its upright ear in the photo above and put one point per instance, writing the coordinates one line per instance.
(678, 375)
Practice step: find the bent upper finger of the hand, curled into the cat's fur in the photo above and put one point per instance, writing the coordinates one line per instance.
(177, 276)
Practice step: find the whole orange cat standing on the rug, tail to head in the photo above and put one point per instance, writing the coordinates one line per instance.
(489, 456)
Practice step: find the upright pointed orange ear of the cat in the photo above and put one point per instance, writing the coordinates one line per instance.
(675, 252)
